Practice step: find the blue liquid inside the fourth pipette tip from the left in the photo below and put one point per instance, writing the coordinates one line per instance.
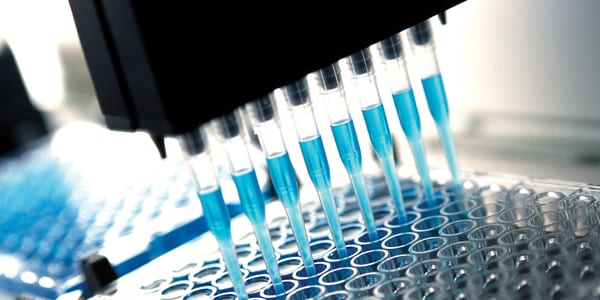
(317, 166)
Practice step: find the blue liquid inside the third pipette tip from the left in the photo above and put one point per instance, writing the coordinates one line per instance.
(285, 184)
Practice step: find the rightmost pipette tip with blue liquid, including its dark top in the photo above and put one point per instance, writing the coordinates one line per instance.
(421, 39)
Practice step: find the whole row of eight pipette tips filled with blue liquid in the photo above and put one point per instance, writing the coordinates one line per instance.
(264, 121)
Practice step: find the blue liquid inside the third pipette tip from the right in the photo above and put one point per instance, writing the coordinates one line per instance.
(381, 139)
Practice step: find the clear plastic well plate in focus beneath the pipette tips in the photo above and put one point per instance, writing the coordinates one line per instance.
(502, 257)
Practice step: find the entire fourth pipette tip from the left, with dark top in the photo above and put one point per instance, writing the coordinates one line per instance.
(315, 158)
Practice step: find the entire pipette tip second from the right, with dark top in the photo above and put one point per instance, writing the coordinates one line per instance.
(406, 107)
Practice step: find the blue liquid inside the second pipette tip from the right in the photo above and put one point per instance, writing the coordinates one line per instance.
(408, 114)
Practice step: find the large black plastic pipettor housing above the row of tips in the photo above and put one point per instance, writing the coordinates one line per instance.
(168, 67)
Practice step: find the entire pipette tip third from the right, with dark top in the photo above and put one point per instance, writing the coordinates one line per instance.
(376, 122)
